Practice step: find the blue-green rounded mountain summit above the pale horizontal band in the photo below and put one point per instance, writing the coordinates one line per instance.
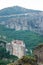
(15, 10)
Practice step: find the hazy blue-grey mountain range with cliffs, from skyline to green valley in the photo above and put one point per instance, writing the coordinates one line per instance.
(19, 18)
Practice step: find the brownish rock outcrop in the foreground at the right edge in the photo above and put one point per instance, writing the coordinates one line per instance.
(39, 52)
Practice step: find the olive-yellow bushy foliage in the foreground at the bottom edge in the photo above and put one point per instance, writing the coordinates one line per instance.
(25, 60)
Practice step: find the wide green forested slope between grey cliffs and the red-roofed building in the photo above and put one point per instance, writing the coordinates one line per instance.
(31, 39)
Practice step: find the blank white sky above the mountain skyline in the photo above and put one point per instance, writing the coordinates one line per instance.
(30, 4)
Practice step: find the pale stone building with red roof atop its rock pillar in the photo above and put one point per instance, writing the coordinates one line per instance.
(17, 48)
